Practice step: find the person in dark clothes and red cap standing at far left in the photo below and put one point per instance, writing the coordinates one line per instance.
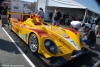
(4, 9)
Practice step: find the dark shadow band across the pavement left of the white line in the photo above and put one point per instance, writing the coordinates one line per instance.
(8, 46)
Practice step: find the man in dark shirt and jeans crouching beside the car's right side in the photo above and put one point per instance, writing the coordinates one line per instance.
(90, 37)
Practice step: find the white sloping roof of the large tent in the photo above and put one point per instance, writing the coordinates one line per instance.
(65, 3)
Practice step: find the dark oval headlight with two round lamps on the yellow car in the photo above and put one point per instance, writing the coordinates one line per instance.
(51, 46)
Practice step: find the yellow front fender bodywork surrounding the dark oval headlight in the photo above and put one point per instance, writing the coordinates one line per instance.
(61, 50)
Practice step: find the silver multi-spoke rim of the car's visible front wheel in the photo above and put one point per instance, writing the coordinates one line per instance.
(33, 43)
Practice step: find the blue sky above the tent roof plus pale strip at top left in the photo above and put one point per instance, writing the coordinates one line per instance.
(91, 4)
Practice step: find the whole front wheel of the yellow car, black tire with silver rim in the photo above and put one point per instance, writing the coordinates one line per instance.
(33, 43)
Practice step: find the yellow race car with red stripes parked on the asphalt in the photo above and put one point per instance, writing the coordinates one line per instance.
(54, 45)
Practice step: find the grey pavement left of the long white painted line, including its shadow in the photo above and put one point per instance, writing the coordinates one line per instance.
(10, 56)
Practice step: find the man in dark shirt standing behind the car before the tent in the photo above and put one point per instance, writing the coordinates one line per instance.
(56, 17)
